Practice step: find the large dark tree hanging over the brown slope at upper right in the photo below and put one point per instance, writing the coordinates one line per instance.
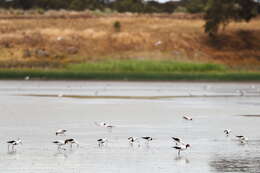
(222, 12)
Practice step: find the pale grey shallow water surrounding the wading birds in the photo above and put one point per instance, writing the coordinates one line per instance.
(34, 110)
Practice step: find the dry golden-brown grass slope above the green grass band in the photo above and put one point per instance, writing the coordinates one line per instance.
(90, 37)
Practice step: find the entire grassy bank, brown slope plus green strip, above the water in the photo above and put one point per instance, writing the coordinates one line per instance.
(145, 47)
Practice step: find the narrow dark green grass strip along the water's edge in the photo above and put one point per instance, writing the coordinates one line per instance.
(113, 76)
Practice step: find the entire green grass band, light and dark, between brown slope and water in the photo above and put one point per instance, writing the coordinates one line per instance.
(135, 70)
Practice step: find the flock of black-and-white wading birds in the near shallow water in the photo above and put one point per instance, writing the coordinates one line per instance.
(179, 144)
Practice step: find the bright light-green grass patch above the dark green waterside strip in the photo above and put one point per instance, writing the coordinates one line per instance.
(145, 66)
